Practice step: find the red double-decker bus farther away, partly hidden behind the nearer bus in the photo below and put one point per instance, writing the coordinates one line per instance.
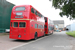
(49, 26)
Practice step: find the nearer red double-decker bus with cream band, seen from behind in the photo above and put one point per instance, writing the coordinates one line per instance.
(26, 23)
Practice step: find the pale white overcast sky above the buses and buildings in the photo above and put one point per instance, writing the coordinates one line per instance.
(45, 8)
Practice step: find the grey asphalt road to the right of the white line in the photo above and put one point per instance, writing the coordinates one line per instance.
(57, 41)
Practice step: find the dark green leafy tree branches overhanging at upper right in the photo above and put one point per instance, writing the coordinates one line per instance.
(67, 7)
